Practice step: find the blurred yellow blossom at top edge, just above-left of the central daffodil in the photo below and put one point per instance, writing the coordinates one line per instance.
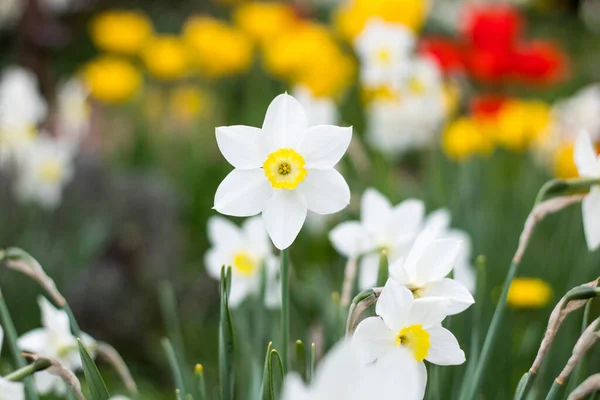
(265, 21)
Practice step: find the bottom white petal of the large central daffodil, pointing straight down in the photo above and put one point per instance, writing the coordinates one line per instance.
(284, 216)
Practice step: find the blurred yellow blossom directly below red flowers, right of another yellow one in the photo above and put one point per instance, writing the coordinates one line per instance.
(519, 123)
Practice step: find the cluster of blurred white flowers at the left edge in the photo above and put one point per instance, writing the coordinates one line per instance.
(41, 163)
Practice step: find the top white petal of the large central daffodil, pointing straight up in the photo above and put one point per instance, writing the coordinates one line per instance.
(285, 123)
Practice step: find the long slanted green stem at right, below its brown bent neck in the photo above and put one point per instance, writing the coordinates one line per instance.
(490, 338)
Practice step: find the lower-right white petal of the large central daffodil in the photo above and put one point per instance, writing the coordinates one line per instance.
(325, 191)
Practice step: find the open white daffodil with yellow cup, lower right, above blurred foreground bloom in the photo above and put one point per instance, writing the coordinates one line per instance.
(408, 331)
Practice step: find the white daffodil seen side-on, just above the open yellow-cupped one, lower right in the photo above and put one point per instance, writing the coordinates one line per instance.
(425, 269)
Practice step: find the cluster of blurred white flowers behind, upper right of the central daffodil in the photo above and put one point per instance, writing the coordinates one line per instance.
(406, 91)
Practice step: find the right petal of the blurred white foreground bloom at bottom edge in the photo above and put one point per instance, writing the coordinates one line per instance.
(396, 373)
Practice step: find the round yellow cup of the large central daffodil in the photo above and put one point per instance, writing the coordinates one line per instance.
(285, 169)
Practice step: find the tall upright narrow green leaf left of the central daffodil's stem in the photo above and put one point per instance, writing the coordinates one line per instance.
(226, 339)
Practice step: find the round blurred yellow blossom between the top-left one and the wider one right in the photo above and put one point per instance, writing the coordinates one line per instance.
(166, 57)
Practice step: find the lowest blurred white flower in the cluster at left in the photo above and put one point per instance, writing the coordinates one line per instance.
(46, 167)
